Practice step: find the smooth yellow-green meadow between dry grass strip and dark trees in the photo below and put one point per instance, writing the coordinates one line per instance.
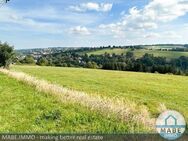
(144, 88)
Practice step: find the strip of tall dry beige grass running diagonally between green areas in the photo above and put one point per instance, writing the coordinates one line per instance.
(125, 110)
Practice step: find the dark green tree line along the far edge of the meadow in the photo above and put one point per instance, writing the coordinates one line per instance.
(123, 62)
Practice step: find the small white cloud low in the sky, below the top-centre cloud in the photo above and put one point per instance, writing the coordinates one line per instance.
(81, 30)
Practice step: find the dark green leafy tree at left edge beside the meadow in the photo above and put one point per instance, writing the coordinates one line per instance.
(6, 55)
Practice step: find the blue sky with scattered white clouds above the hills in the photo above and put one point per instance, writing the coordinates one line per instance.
(93, 23)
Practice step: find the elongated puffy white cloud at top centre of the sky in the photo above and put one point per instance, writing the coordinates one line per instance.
(91, 6)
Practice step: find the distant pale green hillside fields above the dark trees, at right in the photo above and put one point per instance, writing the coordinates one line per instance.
(139, 53)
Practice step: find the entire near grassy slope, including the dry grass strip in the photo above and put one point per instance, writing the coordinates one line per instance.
(32, 102)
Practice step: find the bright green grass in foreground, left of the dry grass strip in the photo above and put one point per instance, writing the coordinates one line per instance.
(23, 109)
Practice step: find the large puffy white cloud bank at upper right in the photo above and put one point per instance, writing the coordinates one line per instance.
(157, 12)
